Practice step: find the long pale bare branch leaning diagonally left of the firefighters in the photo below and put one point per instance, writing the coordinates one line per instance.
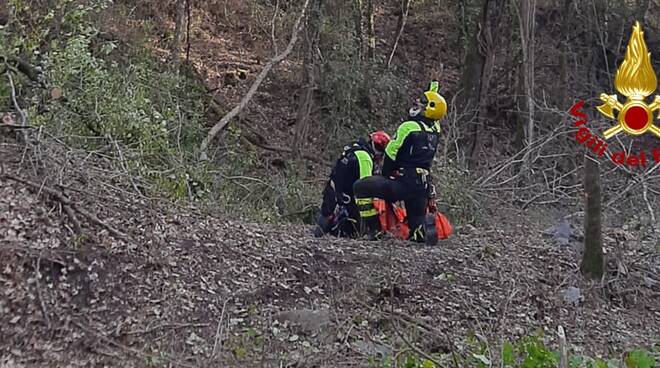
(262, 75)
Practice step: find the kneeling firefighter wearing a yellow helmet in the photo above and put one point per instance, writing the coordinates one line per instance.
(406, 173)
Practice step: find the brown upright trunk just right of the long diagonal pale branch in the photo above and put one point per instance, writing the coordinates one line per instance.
(309, 78)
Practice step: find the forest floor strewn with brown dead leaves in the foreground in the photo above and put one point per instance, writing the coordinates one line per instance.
(134, 282)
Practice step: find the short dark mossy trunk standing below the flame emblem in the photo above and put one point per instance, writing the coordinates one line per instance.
(592, 257)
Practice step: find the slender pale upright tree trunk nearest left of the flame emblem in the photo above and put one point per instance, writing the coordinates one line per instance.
(527, 15)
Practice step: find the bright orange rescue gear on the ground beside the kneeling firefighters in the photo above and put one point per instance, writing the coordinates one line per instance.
(393, 219)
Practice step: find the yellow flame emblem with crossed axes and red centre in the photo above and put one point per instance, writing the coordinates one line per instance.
(636, 80)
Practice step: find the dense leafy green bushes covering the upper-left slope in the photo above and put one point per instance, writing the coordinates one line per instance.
(150, 116)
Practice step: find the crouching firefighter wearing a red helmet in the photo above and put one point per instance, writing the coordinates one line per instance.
(339, 215)
